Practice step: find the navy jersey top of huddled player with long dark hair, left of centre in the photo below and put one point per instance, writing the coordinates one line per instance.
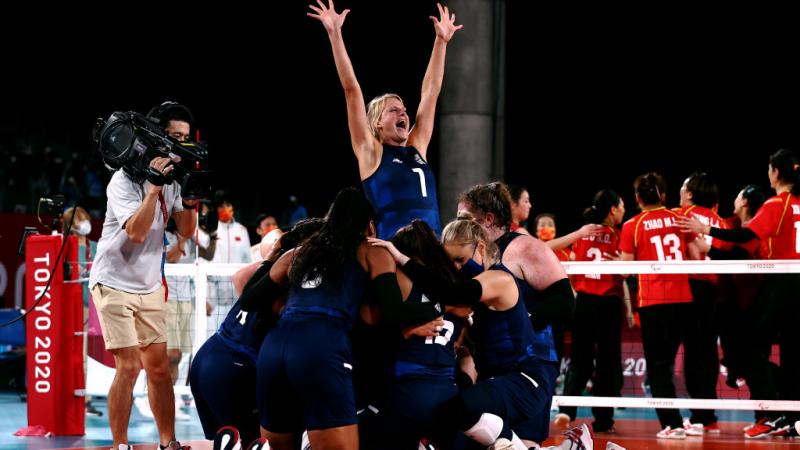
(341, 298)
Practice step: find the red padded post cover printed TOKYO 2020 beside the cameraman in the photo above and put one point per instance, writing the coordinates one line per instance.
(54, 334)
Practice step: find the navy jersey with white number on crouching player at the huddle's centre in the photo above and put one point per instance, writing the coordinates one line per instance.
(432, 357)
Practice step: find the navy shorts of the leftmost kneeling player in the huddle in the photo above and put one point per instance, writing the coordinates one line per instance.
(222, 382)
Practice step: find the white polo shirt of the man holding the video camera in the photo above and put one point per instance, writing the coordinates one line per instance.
(121, 263)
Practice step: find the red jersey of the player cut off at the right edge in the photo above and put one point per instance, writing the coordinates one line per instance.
(777, 224)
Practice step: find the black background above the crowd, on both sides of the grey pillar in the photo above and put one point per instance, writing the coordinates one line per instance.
(594, 98)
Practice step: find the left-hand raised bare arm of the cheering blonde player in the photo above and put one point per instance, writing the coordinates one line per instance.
(365, 146)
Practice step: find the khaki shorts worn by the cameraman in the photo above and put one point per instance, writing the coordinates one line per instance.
(130, 320)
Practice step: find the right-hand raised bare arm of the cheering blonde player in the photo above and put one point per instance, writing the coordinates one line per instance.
(445, 27)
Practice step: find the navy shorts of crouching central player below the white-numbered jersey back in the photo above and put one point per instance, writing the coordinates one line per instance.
(408, 411)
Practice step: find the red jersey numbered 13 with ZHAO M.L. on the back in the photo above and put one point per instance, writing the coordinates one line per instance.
(653, 235)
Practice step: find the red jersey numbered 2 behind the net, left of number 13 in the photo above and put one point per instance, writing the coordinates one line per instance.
(592, 248)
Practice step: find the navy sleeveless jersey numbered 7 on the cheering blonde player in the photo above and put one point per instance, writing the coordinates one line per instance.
(401, 190)
